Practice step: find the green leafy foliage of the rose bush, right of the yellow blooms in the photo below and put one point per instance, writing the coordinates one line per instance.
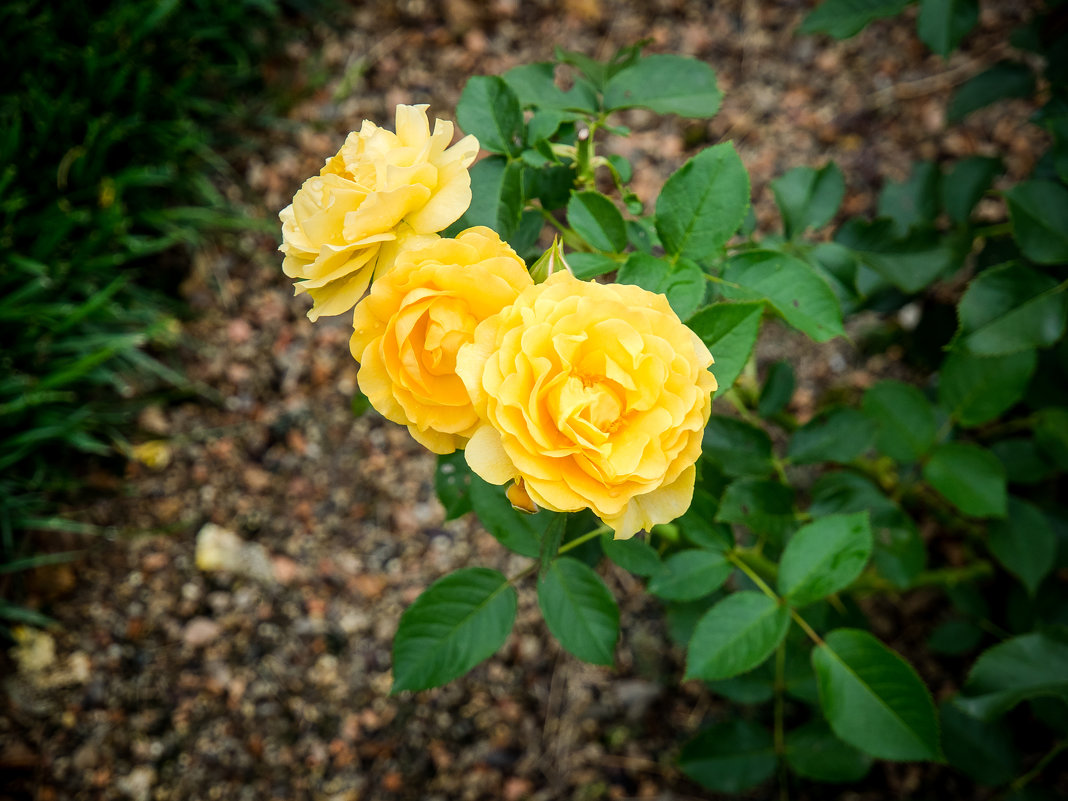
(948, 477)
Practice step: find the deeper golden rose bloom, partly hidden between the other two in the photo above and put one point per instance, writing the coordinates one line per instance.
(416, 319)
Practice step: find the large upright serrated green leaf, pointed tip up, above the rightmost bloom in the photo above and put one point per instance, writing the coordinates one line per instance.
(703, 203)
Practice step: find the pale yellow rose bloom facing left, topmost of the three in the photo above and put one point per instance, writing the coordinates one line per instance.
(347, 224)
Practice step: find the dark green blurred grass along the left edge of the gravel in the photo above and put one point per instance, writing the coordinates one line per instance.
(113, 124)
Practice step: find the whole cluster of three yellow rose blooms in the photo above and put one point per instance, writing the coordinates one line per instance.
(579, 395)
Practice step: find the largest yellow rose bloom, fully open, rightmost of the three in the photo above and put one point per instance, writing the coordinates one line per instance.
(592, 396)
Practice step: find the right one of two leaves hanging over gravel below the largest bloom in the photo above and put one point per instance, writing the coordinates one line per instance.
(579, 610)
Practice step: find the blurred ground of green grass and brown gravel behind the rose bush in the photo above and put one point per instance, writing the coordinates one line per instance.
(203, 554)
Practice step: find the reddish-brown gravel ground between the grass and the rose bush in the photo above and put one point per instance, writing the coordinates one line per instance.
(166, 682)
